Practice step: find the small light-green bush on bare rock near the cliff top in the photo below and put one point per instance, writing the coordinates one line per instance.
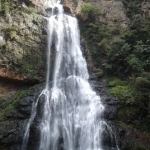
(90, 11)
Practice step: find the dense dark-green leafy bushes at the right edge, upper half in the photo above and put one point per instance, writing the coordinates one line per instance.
(131, 49)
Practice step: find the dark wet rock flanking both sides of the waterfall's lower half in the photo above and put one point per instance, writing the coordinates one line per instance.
(12, 128)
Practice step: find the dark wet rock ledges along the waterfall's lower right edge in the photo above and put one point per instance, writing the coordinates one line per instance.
(109, 136)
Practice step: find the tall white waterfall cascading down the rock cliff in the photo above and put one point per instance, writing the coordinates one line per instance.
(71, 116)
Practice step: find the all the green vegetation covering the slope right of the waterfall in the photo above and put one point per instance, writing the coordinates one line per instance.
(125, 54)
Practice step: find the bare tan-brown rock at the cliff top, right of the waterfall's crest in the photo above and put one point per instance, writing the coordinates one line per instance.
(110, 10)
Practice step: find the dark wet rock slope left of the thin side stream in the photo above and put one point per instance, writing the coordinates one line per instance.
(13, 125)
